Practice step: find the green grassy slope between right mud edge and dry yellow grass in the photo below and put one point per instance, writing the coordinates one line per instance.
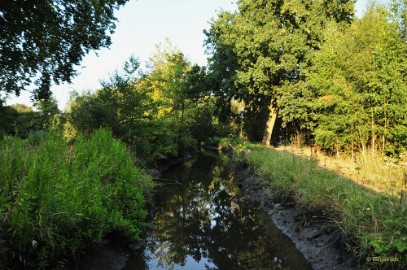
(374, 224)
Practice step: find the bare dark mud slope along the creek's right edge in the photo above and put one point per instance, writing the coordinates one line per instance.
(317, 239)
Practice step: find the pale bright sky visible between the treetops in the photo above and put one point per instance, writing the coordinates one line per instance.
(142, 25)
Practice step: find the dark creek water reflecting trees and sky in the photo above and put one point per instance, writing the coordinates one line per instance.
(203, 221)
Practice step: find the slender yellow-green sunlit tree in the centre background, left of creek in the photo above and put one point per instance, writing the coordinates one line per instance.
(168, 83)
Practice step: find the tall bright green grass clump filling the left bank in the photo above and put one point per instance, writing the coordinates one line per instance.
(56, 199)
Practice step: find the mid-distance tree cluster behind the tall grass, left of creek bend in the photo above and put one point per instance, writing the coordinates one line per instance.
(158, 114)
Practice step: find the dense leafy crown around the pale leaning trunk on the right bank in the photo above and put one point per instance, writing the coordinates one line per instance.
(261, 53)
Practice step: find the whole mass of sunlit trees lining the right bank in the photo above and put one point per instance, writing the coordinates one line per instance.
(329, 78)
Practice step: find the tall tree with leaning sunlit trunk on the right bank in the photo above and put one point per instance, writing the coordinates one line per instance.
(270, 41)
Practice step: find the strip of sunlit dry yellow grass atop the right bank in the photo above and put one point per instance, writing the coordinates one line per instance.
(375, 173)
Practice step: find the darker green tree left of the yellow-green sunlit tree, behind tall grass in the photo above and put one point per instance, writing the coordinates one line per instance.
(117, 106)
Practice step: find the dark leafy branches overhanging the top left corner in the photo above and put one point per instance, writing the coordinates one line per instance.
(41, 42)
